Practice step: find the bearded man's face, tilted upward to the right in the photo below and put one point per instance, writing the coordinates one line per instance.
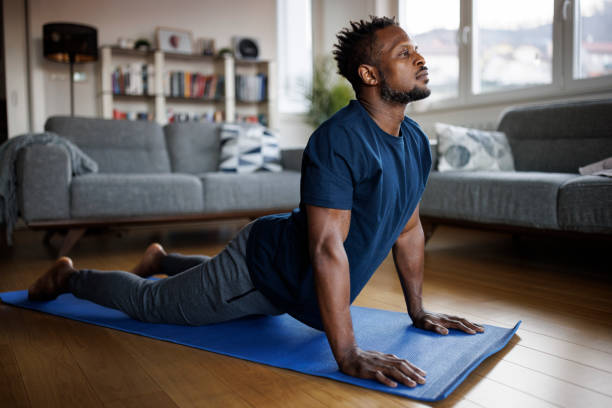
(402, 70)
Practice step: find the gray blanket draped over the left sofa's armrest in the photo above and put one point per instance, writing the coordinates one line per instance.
(9, 151)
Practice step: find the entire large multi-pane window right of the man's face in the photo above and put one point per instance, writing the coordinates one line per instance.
(482, 51)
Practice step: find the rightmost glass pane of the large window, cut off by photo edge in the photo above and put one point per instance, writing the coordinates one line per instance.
(594, 34)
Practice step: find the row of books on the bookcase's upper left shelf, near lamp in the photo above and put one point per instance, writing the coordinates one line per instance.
(133, 79)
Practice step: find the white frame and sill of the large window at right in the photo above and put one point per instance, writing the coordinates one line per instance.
(564, 64)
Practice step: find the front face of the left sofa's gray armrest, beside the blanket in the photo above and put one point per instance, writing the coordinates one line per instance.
(44, 174)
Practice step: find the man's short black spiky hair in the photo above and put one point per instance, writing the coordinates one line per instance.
(356, 46)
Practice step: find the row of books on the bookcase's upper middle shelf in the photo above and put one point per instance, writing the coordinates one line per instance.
(193, 85)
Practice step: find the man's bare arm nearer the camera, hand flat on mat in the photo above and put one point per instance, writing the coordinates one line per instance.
(327, 231)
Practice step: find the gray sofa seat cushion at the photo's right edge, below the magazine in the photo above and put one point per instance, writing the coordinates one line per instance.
(585, 204)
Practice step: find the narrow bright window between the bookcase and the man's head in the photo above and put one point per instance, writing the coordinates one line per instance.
(294, 27)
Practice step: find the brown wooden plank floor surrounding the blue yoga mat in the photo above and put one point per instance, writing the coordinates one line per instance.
(561, 355)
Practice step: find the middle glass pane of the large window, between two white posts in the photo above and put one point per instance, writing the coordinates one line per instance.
(514, 48)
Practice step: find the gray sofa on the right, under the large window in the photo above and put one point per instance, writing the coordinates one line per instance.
(545, 193)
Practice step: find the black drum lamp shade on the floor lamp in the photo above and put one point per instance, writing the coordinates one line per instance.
(66, 42)
